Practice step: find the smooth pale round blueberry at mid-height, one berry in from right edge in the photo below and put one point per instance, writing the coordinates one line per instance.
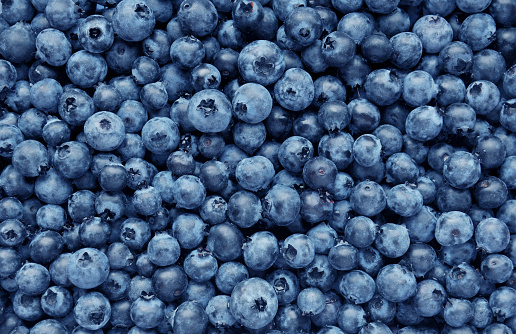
(462, 170)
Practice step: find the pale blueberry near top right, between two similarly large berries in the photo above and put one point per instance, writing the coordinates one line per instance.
(434, 31)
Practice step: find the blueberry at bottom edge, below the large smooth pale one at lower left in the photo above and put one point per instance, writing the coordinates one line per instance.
(92, 311)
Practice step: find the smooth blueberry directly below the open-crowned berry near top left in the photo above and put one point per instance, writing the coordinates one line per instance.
(86, 69)
